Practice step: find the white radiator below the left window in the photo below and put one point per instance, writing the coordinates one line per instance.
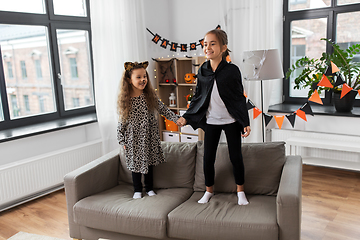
(25, 180)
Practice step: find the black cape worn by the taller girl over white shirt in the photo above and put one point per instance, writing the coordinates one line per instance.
(231, 91)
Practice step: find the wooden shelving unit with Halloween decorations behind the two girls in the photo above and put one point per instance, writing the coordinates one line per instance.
(166, 71)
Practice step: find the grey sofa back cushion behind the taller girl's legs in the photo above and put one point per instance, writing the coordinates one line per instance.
(263, 167)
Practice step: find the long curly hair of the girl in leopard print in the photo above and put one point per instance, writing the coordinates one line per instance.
(123, 100)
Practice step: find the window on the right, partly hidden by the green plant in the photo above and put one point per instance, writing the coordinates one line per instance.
(305, 23)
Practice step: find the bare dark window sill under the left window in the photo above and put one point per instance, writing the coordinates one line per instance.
(51, 126)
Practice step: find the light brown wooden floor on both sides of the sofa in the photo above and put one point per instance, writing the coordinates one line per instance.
(331, 209)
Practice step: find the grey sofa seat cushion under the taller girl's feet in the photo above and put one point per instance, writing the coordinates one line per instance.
(222, 218)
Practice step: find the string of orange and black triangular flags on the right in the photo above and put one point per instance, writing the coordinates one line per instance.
(315, 97)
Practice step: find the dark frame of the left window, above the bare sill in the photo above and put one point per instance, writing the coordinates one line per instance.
(52, 22)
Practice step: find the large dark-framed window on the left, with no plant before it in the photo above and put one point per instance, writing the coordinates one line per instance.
(44, 46)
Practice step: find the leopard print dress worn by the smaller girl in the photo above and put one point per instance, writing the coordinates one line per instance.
(140, 135)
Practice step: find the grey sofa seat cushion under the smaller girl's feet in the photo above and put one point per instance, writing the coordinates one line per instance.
(115, 210)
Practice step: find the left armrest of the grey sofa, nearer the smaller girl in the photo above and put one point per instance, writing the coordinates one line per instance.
(94, 177)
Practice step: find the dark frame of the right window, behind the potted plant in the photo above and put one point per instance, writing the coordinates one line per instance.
(328, 12)
